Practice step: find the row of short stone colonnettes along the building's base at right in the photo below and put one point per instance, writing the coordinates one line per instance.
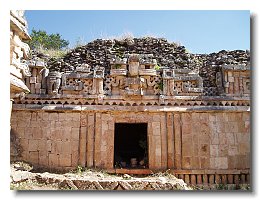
(198, 179)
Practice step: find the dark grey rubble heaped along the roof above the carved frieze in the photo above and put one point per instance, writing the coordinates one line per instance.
(167, 54)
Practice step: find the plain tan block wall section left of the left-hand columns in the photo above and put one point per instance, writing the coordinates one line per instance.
(48, 139)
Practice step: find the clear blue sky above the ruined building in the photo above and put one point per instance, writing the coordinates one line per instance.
(199, 31)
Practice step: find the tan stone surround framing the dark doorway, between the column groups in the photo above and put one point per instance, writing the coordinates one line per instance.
(104, 137)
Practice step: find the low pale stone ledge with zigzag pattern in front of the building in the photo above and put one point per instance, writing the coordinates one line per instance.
(97, 181)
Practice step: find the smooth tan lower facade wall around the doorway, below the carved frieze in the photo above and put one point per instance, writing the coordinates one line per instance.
(189, 143)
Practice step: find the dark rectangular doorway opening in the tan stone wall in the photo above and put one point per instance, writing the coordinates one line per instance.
(130, 145)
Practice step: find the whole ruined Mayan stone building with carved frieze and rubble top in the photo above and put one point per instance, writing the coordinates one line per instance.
(138, 105)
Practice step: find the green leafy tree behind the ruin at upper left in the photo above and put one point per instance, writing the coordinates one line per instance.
(42, 40)
